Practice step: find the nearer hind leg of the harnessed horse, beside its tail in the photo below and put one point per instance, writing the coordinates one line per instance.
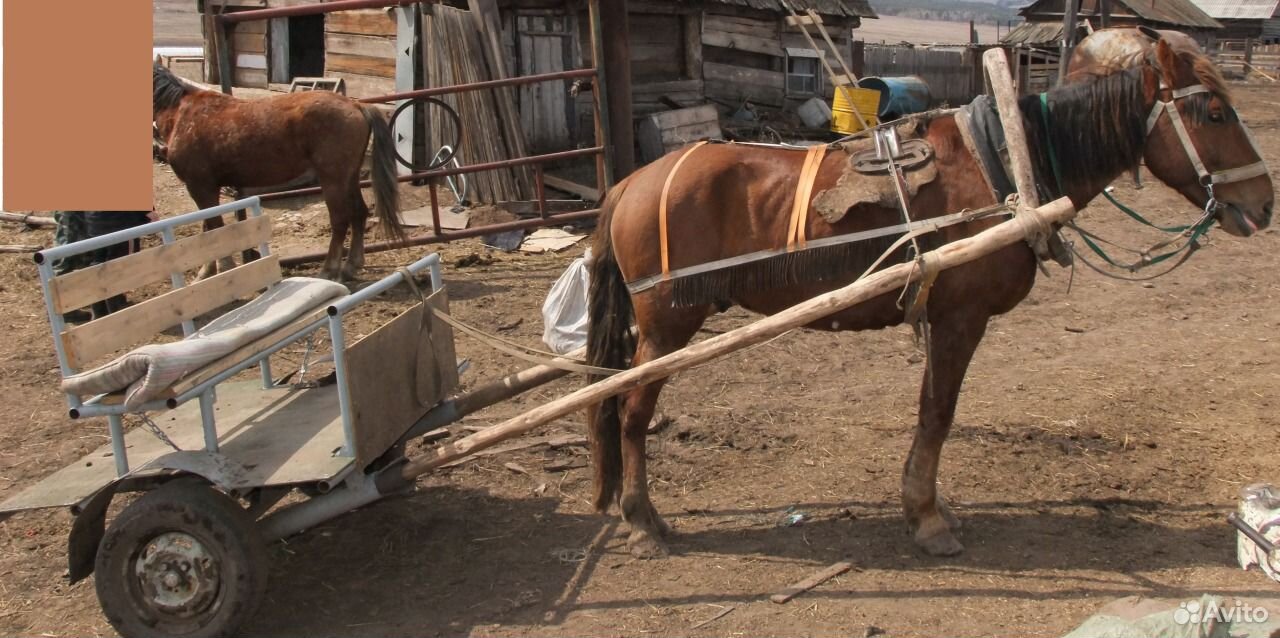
(638, 511)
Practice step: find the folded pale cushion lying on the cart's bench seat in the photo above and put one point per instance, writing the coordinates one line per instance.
(147, 372)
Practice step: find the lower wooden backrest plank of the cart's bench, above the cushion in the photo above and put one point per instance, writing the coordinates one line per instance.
(141, 322)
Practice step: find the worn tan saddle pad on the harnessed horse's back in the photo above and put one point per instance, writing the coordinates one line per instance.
(867, 180)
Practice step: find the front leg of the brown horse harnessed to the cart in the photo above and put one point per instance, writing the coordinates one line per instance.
(953, 343)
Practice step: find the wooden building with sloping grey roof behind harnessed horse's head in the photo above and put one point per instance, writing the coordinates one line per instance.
(1044, 26)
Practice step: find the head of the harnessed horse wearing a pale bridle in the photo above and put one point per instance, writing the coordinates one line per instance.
(1199, 145)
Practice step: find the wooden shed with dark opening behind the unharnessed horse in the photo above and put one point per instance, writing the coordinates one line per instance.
(355, 45)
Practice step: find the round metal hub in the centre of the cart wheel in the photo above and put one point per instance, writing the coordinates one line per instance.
(177, 575)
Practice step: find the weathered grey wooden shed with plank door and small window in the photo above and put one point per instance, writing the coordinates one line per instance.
(683, 54)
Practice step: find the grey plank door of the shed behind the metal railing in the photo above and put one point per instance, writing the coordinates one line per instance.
(546, 45)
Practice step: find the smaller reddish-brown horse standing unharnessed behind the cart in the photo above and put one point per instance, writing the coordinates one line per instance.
(216, 140)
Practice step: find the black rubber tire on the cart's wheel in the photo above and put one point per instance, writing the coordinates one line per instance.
(221, 525)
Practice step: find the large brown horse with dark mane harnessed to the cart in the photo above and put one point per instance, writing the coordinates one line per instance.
(732, 200)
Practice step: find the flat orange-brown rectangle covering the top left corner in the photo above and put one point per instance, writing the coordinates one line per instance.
(77, 126)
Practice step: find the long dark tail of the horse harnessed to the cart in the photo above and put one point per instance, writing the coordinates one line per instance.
(609, 345)
